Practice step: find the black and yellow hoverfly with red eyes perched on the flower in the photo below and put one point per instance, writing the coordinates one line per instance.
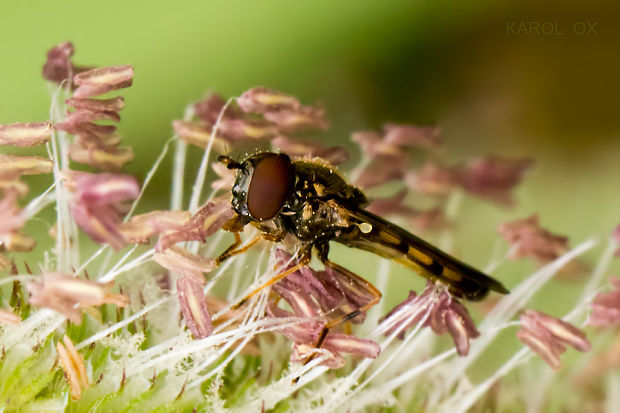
(311, 201)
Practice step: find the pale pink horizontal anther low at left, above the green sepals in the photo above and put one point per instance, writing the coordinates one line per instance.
(67, 294)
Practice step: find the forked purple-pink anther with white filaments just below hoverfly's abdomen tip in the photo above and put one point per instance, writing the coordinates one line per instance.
(445, 314)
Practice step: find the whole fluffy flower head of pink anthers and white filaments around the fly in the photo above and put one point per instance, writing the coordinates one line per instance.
(314, 309)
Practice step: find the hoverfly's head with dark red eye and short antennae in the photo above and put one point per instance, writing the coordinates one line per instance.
(264, 183)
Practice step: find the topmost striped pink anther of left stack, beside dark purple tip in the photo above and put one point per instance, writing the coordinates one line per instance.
(102, 80)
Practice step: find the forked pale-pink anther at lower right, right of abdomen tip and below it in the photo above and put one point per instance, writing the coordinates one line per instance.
(548, 336)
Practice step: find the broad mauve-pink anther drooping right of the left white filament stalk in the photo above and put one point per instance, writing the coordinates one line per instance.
(97, 204)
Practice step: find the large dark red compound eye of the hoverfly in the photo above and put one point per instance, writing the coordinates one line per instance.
(272, 183)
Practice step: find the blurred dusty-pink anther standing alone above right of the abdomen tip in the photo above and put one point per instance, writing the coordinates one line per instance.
(529, 239)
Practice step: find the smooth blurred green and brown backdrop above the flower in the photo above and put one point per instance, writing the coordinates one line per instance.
(468, 67)
